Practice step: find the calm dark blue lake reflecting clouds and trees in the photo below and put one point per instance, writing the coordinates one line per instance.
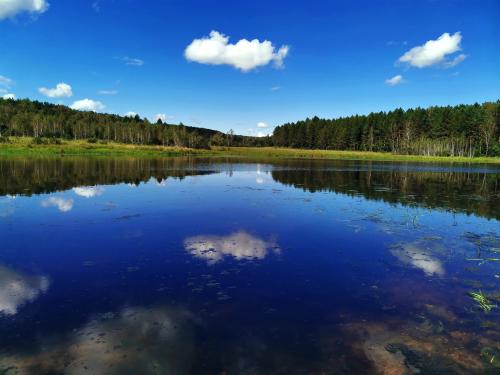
(192, 266)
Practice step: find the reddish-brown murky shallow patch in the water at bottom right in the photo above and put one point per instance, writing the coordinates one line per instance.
(399, 347)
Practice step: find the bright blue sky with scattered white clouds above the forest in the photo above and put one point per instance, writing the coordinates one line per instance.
(325, 58)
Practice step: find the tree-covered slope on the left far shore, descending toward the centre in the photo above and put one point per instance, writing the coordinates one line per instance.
(45, 121)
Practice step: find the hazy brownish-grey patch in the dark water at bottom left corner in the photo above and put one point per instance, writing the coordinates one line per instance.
(135, 340)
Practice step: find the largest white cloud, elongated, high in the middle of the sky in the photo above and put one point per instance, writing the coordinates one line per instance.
(244, 55)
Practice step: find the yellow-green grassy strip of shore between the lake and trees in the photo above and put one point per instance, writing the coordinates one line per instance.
(24, 147)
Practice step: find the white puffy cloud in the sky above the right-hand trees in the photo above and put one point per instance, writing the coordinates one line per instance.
(434, 52)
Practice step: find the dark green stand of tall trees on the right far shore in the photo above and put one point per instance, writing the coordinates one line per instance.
(463, 130)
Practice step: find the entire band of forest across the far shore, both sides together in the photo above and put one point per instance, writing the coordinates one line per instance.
(462, 130)
